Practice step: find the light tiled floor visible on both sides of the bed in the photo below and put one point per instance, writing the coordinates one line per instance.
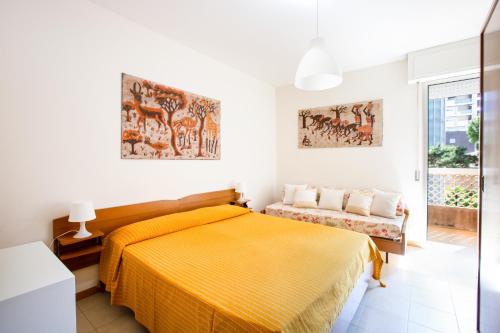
(429, 290)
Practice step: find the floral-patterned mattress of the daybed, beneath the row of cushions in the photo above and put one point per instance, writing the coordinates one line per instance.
(371, 225)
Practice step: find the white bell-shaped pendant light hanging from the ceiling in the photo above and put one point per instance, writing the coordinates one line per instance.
(317, 69)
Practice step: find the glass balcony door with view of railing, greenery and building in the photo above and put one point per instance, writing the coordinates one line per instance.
(454, 108)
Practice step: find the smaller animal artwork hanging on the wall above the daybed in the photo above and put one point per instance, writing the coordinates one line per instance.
(343, 125)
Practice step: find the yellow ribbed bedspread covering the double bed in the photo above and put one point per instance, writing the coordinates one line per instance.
(225, 269)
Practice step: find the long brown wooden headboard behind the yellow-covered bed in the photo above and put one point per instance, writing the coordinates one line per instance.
(109, 219)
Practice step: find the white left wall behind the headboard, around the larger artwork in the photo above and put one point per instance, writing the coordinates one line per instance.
(61, 64)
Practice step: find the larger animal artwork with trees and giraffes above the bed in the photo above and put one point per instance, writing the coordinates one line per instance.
(161, 122)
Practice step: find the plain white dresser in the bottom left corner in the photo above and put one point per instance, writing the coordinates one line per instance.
(37, 292)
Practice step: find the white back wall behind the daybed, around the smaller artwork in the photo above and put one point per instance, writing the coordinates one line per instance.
(389, 167)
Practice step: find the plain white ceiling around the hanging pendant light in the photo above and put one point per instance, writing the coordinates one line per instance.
(267, 38)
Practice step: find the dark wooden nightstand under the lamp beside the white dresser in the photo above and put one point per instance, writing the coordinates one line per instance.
(78, 253)
